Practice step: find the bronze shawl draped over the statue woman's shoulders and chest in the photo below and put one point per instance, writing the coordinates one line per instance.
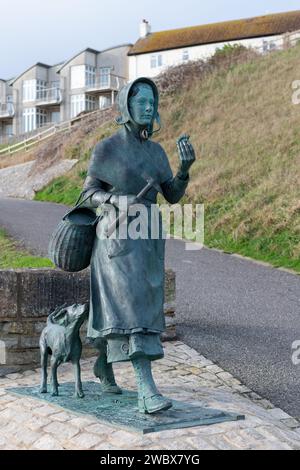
(122, 161)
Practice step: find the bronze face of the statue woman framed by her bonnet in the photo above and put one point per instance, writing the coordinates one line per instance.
(141, 106)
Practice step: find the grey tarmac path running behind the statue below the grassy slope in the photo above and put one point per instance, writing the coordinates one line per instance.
(242, 315)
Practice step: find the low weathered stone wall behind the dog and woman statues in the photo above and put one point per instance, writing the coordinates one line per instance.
(27, 296)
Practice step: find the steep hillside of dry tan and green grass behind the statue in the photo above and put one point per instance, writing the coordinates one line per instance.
(247, 137)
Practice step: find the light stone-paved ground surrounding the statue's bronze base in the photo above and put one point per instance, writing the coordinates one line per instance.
(183, 374)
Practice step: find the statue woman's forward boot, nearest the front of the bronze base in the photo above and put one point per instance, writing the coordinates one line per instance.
(149, 398)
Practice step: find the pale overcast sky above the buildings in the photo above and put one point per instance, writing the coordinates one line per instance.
(51, 31)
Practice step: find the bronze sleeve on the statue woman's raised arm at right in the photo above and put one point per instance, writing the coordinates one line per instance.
(173, 187)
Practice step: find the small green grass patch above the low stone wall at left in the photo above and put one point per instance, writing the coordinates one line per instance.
(12, 257)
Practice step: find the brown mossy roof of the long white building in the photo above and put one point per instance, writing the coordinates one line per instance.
(260, 26)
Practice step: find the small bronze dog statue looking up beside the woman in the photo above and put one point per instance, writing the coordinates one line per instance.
(61, 340)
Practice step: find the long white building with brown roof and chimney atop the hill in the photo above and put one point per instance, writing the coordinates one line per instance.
(154, 52)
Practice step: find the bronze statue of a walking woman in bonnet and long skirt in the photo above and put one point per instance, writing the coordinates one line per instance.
(127, 275)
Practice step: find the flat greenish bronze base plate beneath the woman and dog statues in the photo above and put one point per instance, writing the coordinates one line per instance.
(122, 411)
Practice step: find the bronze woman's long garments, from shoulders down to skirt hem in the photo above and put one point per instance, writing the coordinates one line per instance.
(127, 275)
